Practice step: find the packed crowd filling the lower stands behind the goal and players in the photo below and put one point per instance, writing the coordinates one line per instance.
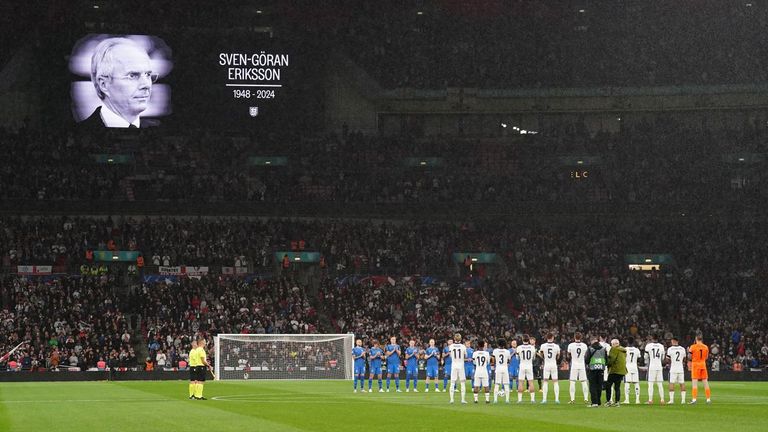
(554, 278)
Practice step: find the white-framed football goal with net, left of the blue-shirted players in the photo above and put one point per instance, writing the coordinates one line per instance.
(283, 356)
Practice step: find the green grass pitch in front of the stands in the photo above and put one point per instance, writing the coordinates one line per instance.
(331, 406)
